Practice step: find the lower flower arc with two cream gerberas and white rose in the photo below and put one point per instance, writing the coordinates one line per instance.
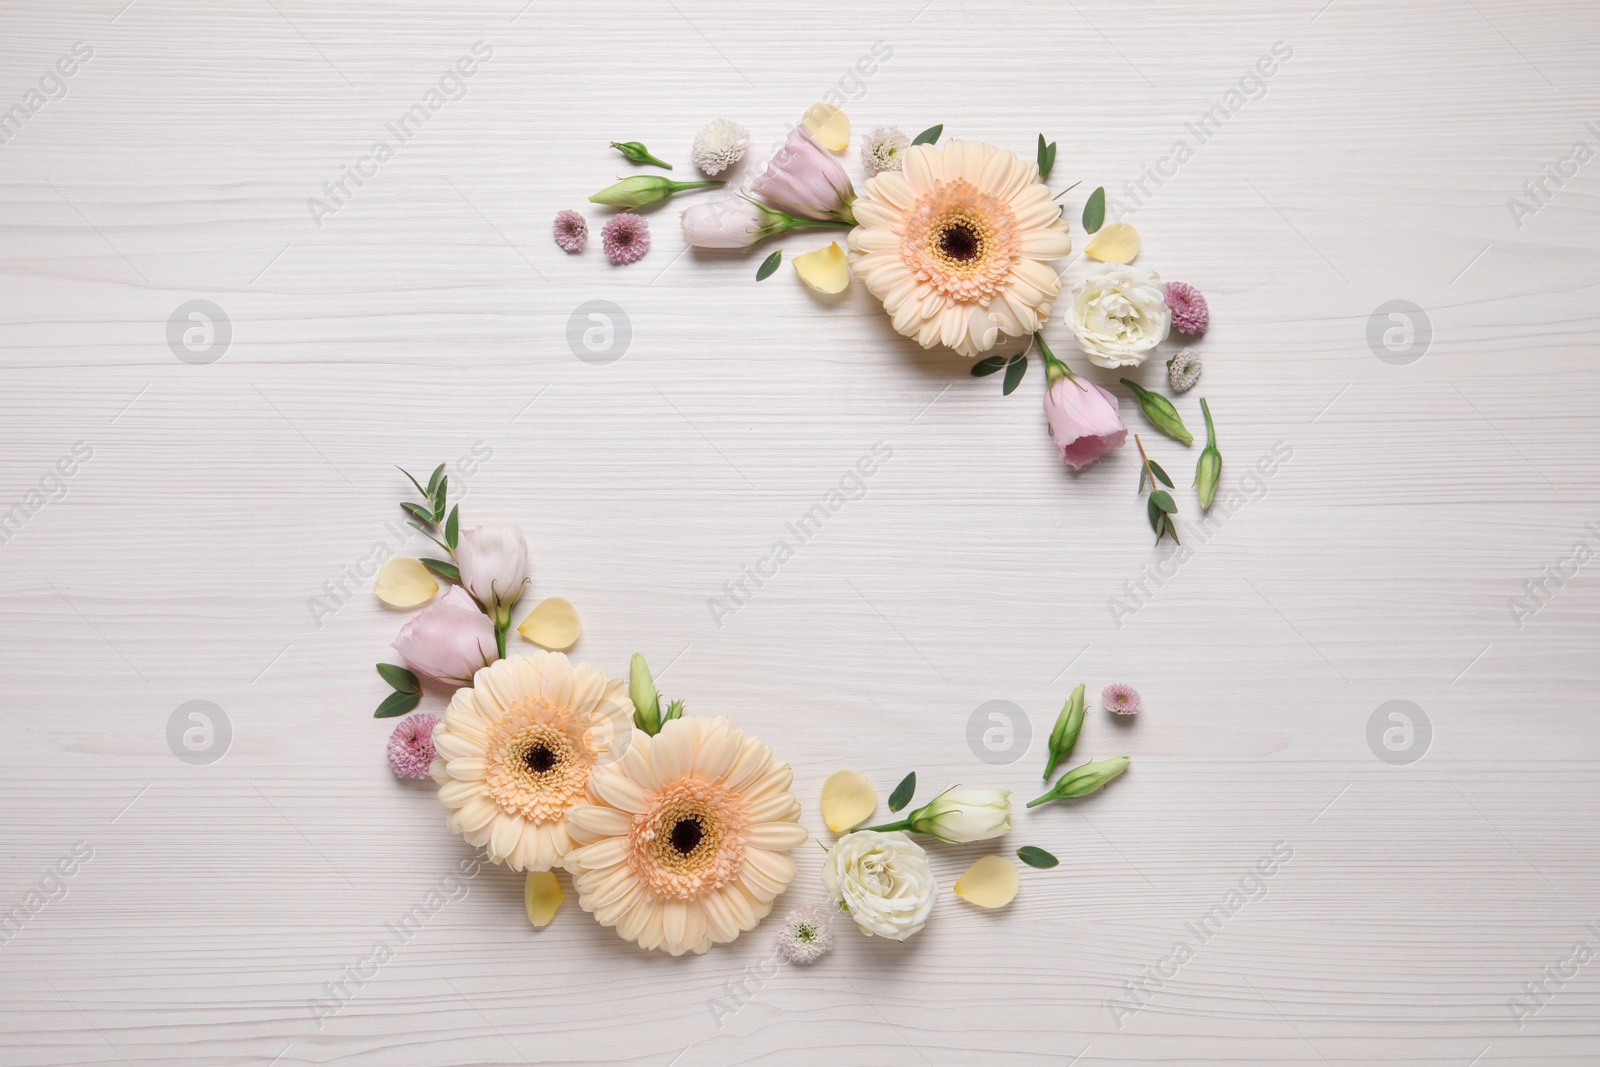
(676, 829)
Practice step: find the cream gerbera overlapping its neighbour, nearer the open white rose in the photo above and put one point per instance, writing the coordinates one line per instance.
(689, 844)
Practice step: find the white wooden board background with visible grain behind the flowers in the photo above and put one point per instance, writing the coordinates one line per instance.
(431, 314)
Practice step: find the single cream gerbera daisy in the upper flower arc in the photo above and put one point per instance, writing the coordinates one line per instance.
(956, 246)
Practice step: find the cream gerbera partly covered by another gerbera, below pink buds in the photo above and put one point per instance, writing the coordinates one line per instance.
(516, 753)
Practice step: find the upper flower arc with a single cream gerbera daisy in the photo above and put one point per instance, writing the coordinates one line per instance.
(958, 244)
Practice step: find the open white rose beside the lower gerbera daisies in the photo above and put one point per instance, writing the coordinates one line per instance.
(884, 881)
